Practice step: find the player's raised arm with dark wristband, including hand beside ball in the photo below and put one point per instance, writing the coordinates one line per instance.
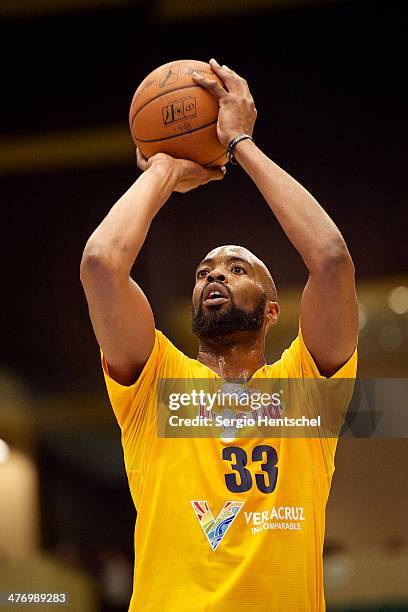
(329, 314)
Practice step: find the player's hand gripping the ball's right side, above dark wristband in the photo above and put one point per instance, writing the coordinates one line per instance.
(237, 112)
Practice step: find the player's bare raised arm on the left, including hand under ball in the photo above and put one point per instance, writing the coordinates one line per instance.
(121, 315)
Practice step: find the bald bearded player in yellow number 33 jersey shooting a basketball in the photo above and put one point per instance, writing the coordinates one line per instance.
(223, 525)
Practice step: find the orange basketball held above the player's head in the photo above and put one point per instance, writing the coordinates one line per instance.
(171, 114)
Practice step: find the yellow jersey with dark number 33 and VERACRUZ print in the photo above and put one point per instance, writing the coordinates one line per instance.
(213, 532)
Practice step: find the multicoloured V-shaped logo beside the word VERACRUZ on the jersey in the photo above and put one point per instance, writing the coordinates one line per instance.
(216, 528)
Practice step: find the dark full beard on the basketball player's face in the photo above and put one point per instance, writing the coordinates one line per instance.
(218, 322)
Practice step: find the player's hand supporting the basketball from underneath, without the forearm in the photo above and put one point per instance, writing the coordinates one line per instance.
(184, 175)
